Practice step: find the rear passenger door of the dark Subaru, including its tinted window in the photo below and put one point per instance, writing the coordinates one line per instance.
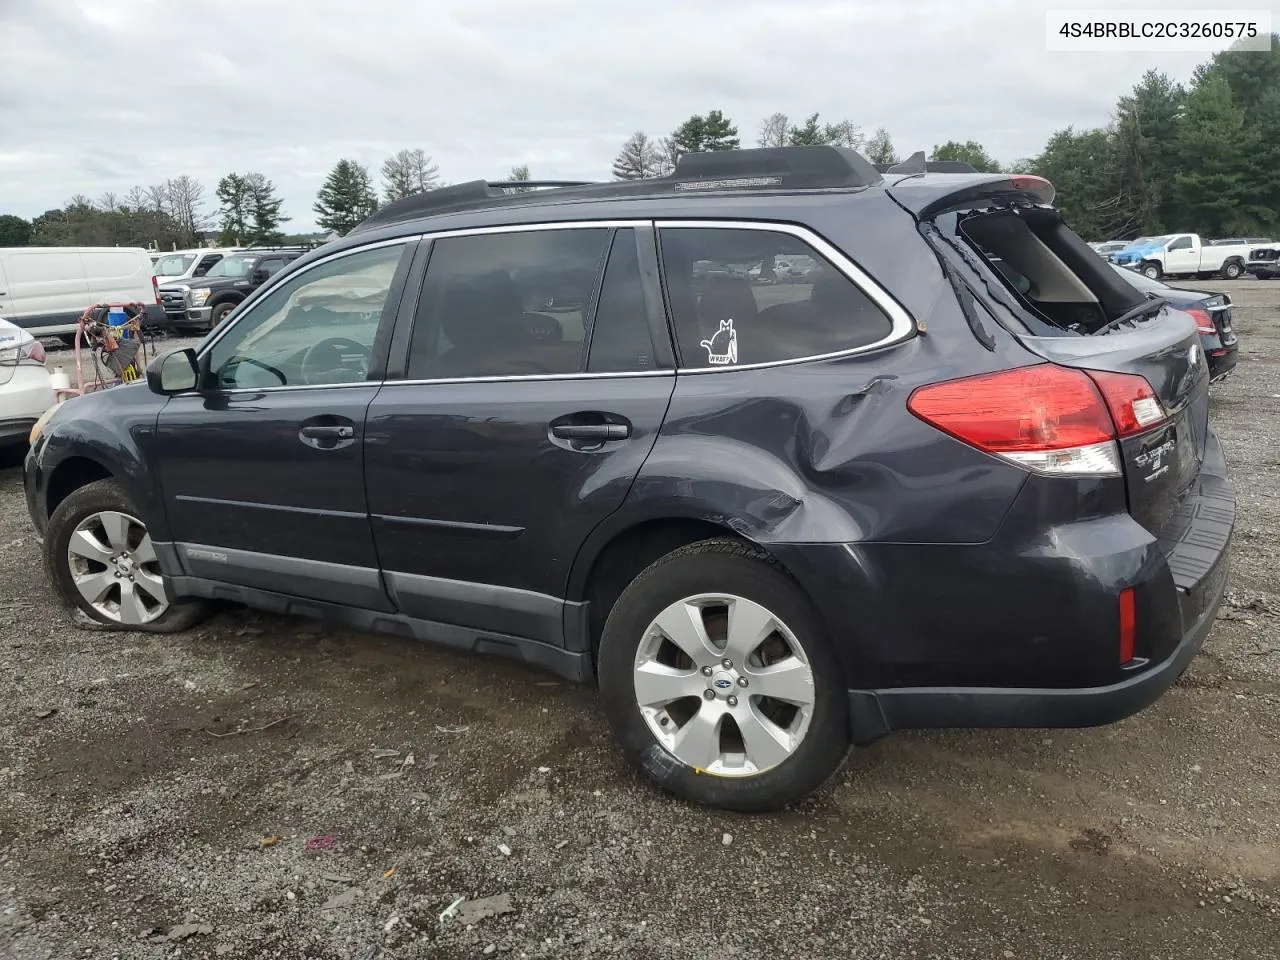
(537, 373)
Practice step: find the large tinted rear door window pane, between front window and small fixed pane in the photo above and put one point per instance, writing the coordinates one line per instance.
(506, 304)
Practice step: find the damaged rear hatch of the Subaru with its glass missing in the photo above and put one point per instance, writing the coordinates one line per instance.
(1067, 305)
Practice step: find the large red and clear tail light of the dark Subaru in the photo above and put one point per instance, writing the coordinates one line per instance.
(1048, 419)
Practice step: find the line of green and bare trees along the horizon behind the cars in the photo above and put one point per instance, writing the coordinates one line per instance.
(1201, 158)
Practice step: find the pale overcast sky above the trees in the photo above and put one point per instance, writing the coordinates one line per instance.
(100, 95)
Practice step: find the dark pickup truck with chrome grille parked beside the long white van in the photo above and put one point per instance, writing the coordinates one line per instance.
(204, 303)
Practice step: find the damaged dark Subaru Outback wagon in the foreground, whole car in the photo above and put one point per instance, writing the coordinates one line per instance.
(771, 520)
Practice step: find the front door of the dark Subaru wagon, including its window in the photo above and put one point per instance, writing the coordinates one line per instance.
(263, 470)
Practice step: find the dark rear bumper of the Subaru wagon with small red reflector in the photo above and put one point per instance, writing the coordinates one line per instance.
(1023, 630)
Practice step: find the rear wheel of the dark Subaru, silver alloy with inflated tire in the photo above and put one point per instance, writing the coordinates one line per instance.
(720, 683)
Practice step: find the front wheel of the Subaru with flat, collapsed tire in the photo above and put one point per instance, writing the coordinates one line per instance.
(100, 559)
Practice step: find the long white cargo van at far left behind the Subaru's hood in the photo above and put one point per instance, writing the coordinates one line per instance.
(45, 290)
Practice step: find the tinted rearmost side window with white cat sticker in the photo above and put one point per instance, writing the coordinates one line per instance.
(756, 296)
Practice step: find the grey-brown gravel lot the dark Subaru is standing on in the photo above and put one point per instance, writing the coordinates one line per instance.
(268, 788)
